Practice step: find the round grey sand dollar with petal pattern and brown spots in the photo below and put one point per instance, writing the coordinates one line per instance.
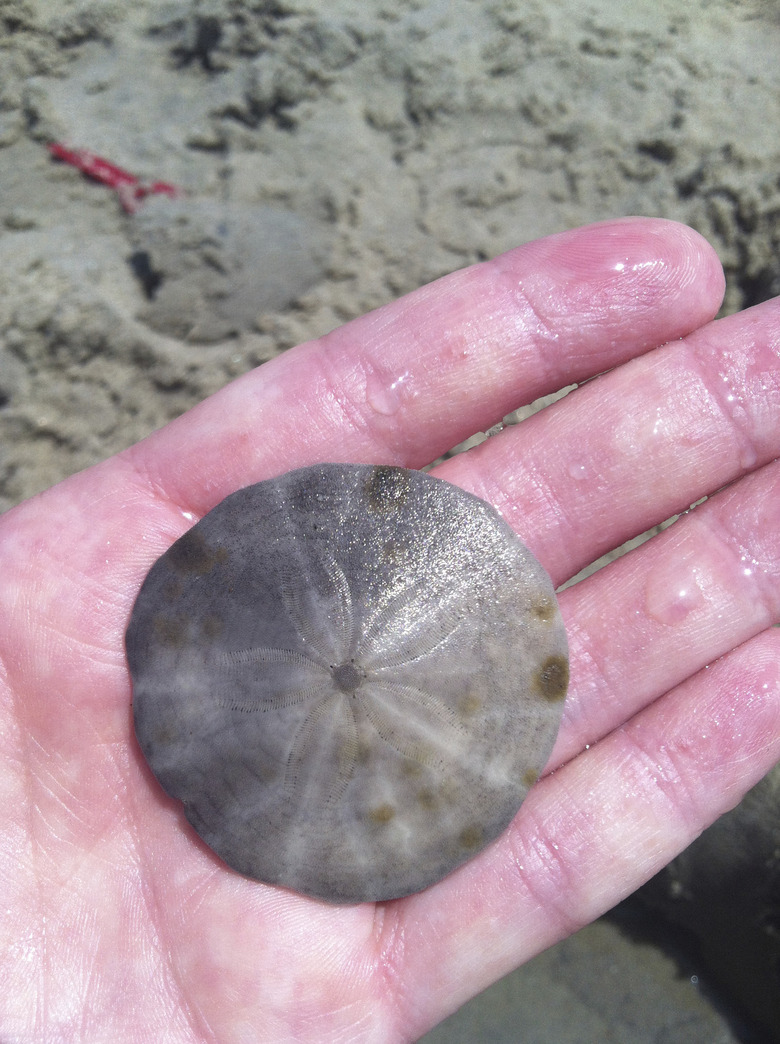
(350, 676)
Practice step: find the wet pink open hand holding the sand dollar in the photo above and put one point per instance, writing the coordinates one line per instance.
(116, 923)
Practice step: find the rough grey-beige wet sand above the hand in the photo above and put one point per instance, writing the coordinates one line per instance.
(403, 140)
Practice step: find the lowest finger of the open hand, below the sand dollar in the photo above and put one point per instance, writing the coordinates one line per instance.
(592, 834)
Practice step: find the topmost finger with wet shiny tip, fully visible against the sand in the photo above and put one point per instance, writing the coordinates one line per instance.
(404, 385)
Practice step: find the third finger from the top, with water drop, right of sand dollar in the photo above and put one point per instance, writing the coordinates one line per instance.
(663, 612)
